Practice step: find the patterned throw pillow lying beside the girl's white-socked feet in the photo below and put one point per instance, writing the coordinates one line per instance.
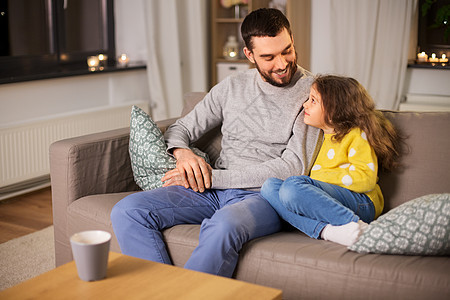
(417, 227)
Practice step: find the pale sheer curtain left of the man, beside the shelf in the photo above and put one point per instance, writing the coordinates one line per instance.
(177, 53)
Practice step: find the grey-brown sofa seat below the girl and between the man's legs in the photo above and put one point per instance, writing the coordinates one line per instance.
(295, 263)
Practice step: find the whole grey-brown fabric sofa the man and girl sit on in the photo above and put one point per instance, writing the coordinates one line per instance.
(89, 174)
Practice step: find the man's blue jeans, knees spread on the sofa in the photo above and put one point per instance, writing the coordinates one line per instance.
(228, 219)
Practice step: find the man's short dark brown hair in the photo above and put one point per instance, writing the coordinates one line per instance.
(263, 22)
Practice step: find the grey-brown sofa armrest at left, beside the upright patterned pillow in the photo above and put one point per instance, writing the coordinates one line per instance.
(92, 164)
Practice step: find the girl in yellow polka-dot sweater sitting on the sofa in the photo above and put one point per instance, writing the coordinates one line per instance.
(341, 196)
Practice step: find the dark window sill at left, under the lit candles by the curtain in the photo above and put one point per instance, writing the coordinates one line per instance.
(71, 71)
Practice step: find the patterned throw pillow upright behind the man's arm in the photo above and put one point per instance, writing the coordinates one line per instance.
(149, 159)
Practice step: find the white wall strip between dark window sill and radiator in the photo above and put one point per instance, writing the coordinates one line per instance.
(36, 100)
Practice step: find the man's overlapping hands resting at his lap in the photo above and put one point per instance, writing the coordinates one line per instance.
(191, 171)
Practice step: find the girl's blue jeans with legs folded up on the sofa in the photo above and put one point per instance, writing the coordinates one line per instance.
(309, 205)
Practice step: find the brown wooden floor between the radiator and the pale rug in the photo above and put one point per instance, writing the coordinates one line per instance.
(25, 214)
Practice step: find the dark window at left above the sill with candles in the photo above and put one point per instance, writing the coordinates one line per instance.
(48, 36)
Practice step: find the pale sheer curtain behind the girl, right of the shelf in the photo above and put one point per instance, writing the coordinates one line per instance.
(367, 40)
